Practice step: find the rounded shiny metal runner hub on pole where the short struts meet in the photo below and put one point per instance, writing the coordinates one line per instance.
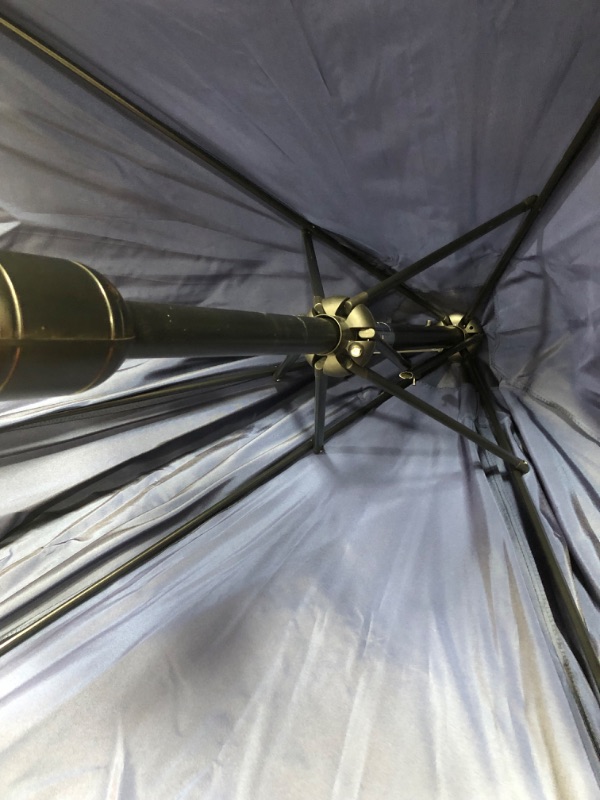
(355, 340)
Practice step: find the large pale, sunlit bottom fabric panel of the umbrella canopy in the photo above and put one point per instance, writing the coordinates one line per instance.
(245, 664)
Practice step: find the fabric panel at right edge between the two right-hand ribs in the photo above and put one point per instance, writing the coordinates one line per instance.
(546, 357)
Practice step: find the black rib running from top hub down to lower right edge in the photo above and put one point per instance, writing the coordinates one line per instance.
(562, 602)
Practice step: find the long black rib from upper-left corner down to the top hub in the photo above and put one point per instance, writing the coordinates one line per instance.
(192, 149)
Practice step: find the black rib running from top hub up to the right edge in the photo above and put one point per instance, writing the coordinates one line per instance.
(580, 140)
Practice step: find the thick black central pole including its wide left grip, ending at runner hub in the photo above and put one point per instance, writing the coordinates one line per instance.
(66, 328)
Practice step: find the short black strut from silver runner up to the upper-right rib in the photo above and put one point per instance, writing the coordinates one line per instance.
(390, 284)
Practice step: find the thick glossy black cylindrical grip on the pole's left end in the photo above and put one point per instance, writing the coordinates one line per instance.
(63, 327)
